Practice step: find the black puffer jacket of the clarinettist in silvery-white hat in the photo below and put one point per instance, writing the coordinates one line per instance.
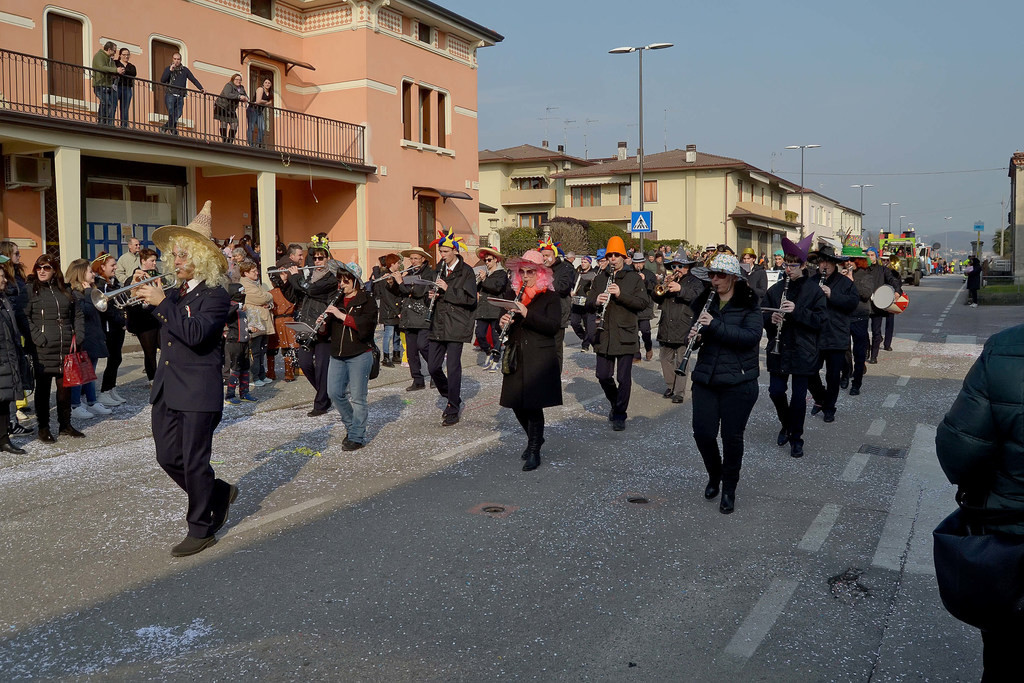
(729, 347)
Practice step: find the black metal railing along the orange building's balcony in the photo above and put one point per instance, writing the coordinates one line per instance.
(59, 91)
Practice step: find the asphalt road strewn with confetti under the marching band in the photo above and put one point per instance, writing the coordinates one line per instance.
(382, 565)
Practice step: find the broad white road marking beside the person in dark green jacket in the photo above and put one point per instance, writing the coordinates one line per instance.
(923, 498)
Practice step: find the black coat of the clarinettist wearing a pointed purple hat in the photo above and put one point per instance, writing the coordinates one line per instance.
(799, 352)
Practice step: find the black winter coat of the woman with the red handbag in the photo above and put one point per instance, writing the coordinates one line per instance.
(54, 319)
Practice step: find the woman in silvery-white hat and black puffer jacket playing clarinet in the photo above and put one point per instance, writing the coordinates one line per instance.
(726, 377)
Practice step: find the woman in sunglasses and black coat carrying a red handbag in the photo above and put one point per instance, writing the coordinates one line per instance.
(53, 320)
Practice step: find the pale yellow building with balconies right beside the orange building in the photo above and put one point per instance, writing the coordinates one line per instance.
(517, 186)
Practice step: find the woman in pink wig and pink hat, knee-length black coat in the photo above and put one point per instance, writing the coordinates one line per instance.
(533, 381)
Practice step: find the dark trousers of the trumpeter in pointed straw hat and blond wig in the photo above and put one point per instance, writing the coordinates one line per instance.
(185, 444)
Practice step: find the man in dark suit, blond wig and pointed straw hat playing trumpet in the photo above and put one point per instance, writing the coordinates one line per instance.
(187, 391)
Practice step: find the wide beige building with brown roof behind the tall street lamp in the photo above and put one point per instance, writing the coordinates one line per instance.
(694, 196)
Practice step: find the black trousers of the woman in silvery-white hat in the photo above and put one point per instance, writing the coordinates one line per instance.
(726, 410)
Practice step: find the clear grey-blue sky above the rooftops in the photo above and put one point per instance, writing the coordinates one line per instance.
(902, 96)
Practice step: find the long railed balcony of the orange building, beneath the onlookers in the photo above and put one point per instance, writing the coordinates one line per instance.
(56, 95)
